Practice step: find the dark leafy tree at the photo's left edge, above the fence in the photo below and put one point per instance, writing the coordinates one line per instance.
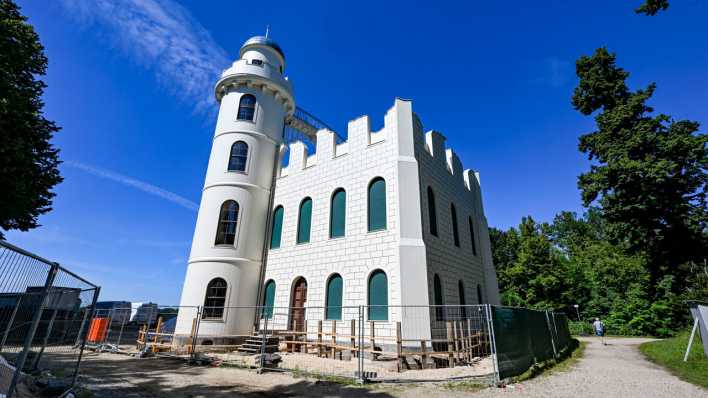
(28, 161)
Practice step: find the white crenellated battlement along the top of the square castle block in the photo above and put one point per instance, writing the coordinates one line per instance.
(393, 133)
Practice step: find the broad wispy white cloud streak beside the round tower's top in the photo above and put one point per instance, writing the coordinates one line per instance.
(162, 36)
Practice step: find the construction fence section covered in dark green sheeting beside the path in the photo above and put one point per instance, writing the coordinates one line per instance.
(525, 337)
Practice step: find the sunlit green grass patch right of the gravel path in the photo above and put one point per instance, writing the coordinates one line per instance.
(669, 354)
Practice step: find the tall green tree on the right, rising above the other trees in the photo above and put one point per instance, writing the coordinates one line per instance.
(648, 173)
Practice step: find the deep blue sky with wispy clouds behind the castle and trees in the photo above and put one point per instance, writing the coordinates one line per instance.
(130, 85)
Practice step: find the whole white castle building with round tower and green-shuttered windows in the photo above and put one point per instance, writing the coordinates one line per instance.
(387, 218)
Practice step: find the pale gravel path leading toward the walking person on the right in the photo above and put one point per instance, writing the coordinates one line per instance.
(615, 370)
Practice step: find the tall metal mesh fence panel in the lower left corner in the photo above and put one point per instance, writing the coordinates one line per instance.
(44, 315)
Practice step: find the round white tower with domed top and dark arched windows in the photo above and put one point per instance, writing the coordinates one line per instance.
(227, 249)
